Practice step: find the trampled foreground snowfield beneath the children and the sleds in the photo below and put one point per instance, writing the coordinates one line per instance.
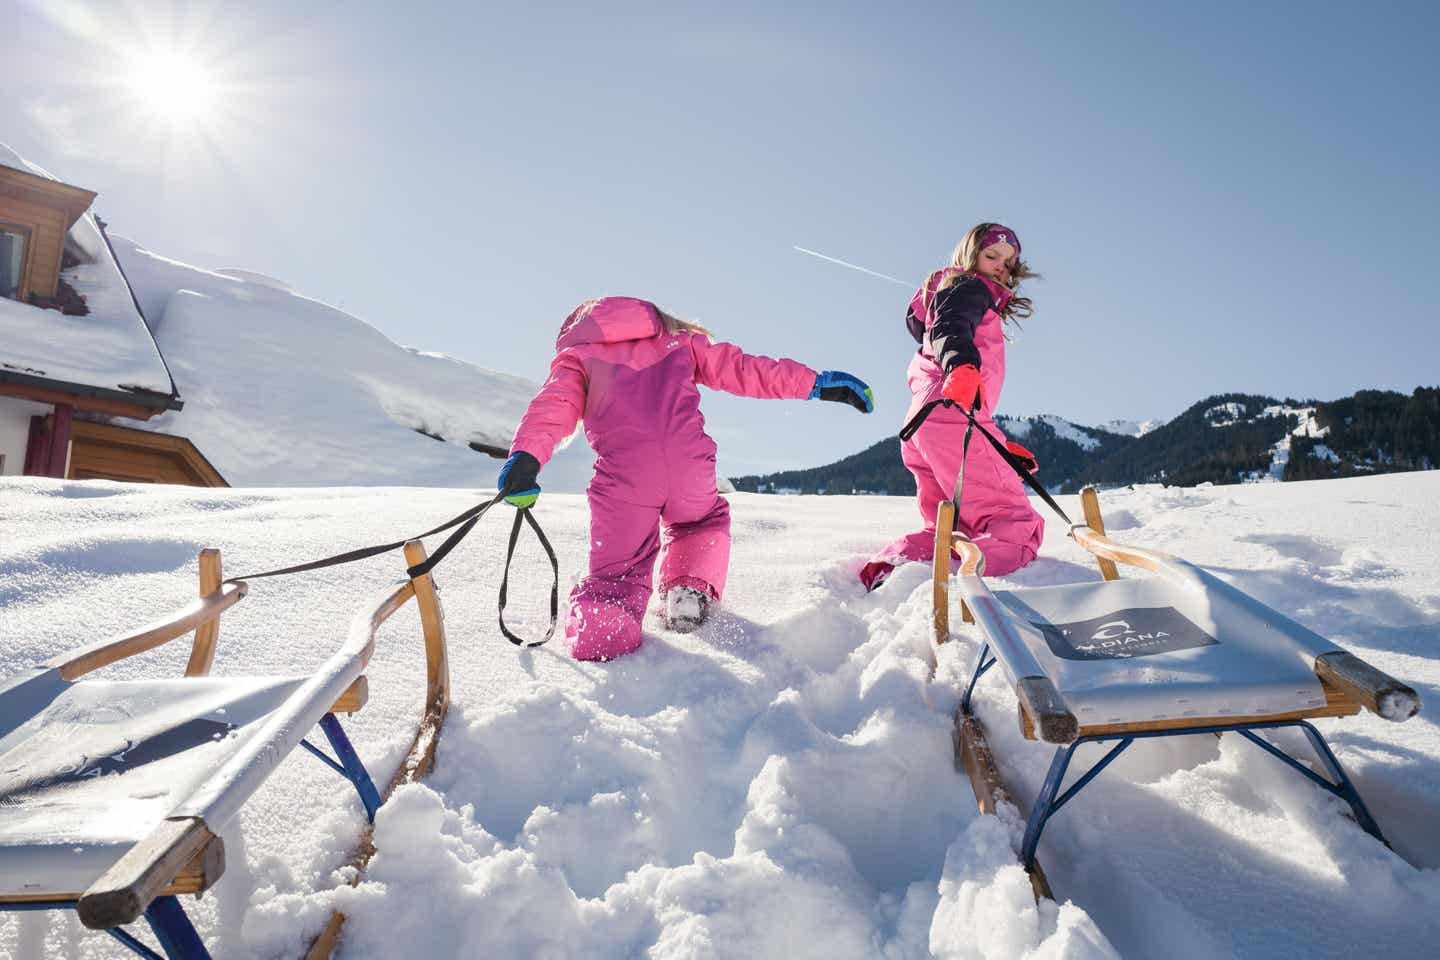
(781, 782)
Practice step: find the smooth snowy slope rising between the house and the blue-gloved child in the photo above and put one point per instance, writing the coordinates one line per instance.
(284, 389)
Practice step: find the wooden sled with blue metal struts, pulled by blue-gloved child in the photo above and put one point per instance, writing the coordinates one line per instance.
(116, 792)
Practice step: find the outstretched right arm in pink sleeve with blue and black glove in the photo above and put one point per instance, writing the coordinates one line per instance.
(728, 368)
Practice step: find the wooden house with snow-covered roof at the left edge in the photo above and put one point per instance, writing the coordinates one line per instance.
(77, 358)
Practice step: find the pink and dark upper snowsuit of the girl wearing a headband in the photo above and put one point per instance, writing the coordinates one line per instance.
(960, 325)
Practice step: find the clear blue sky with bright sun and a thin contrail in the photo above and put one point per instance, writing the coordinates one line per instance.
(1226, 196)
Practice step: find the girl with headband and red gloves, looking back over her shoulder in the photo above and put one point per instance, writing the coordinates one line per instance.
(958, 320)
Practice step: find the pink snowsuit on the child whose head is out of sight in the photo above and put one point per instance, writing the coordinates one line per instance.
(654, 486)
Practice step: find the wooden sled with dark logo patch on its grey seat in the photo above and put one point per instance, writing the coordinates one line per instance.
(1180, 653)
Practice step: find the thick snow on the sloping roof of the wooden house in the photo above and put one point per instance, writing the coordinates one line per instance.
(109, 352)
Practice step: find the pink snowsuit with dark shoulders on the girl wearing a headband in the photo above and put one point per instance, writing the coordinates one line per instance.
(994, 510)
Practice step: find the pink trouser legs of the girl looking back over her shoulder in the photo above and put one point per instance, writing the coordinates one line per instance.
(994, 510)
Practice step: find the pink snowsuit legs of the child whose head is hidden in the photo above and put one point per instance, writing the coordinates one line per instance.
(689, 532)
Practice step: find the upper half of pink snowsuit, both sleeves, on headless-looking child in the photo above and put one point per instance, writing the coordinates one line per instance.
(634, 385)
